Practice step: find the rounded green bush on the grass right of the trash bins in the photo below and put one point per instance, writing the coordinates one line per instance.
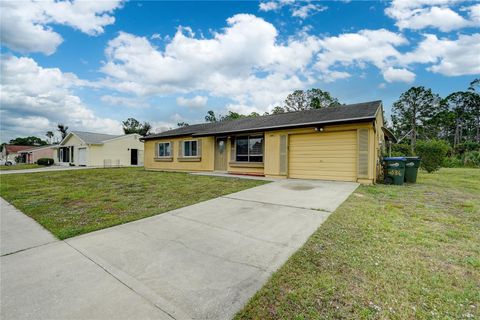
(432, 154)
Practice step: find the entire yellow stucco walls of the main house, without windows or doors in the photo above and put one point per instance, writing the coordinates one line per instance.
(271, 164)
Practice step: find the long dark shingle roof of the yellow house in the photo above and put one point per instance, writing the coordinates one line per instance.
(345, 113)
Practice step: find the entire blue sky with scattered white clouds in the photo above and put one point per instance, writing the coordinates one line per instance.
(92, 64)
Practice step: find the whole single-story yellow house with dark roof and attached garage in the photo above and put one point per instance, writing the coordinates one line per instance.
(339, 143)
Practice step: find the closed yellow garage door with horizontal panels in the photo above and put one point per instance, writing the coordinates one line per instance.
(328, 156)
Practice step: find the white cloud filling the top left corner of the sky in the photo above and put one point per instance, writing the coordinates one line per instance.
(26, 25)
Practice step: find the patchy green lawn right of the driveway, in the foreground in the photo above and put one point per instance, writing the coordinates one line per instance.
(389, 252)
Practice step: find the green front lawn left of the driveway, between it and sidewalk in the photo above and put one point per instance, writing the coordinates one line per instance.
(69, 203)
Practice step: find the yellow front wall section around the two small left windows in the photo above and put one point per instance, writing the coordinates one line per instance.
(204, 163)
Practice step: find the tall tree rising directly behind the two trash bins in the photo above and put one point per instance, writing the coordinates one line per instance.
(414, 110)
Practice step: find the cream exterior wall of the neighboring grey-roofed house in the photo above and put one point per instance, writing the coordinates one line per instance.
(115, 152)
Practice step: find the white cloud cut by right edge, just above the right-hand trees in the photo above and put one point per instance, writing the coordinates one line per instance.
(447, 57)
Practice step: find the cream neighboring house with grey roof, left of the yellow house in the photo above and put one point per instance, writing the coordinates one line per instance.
(96, 149)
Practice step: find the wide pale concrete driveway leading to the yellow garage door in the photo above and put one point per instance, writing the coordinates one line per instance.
(199, 262)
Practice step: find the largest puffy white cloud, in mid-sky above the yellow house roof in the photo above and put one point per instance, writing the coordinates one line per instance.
(225, 65)
